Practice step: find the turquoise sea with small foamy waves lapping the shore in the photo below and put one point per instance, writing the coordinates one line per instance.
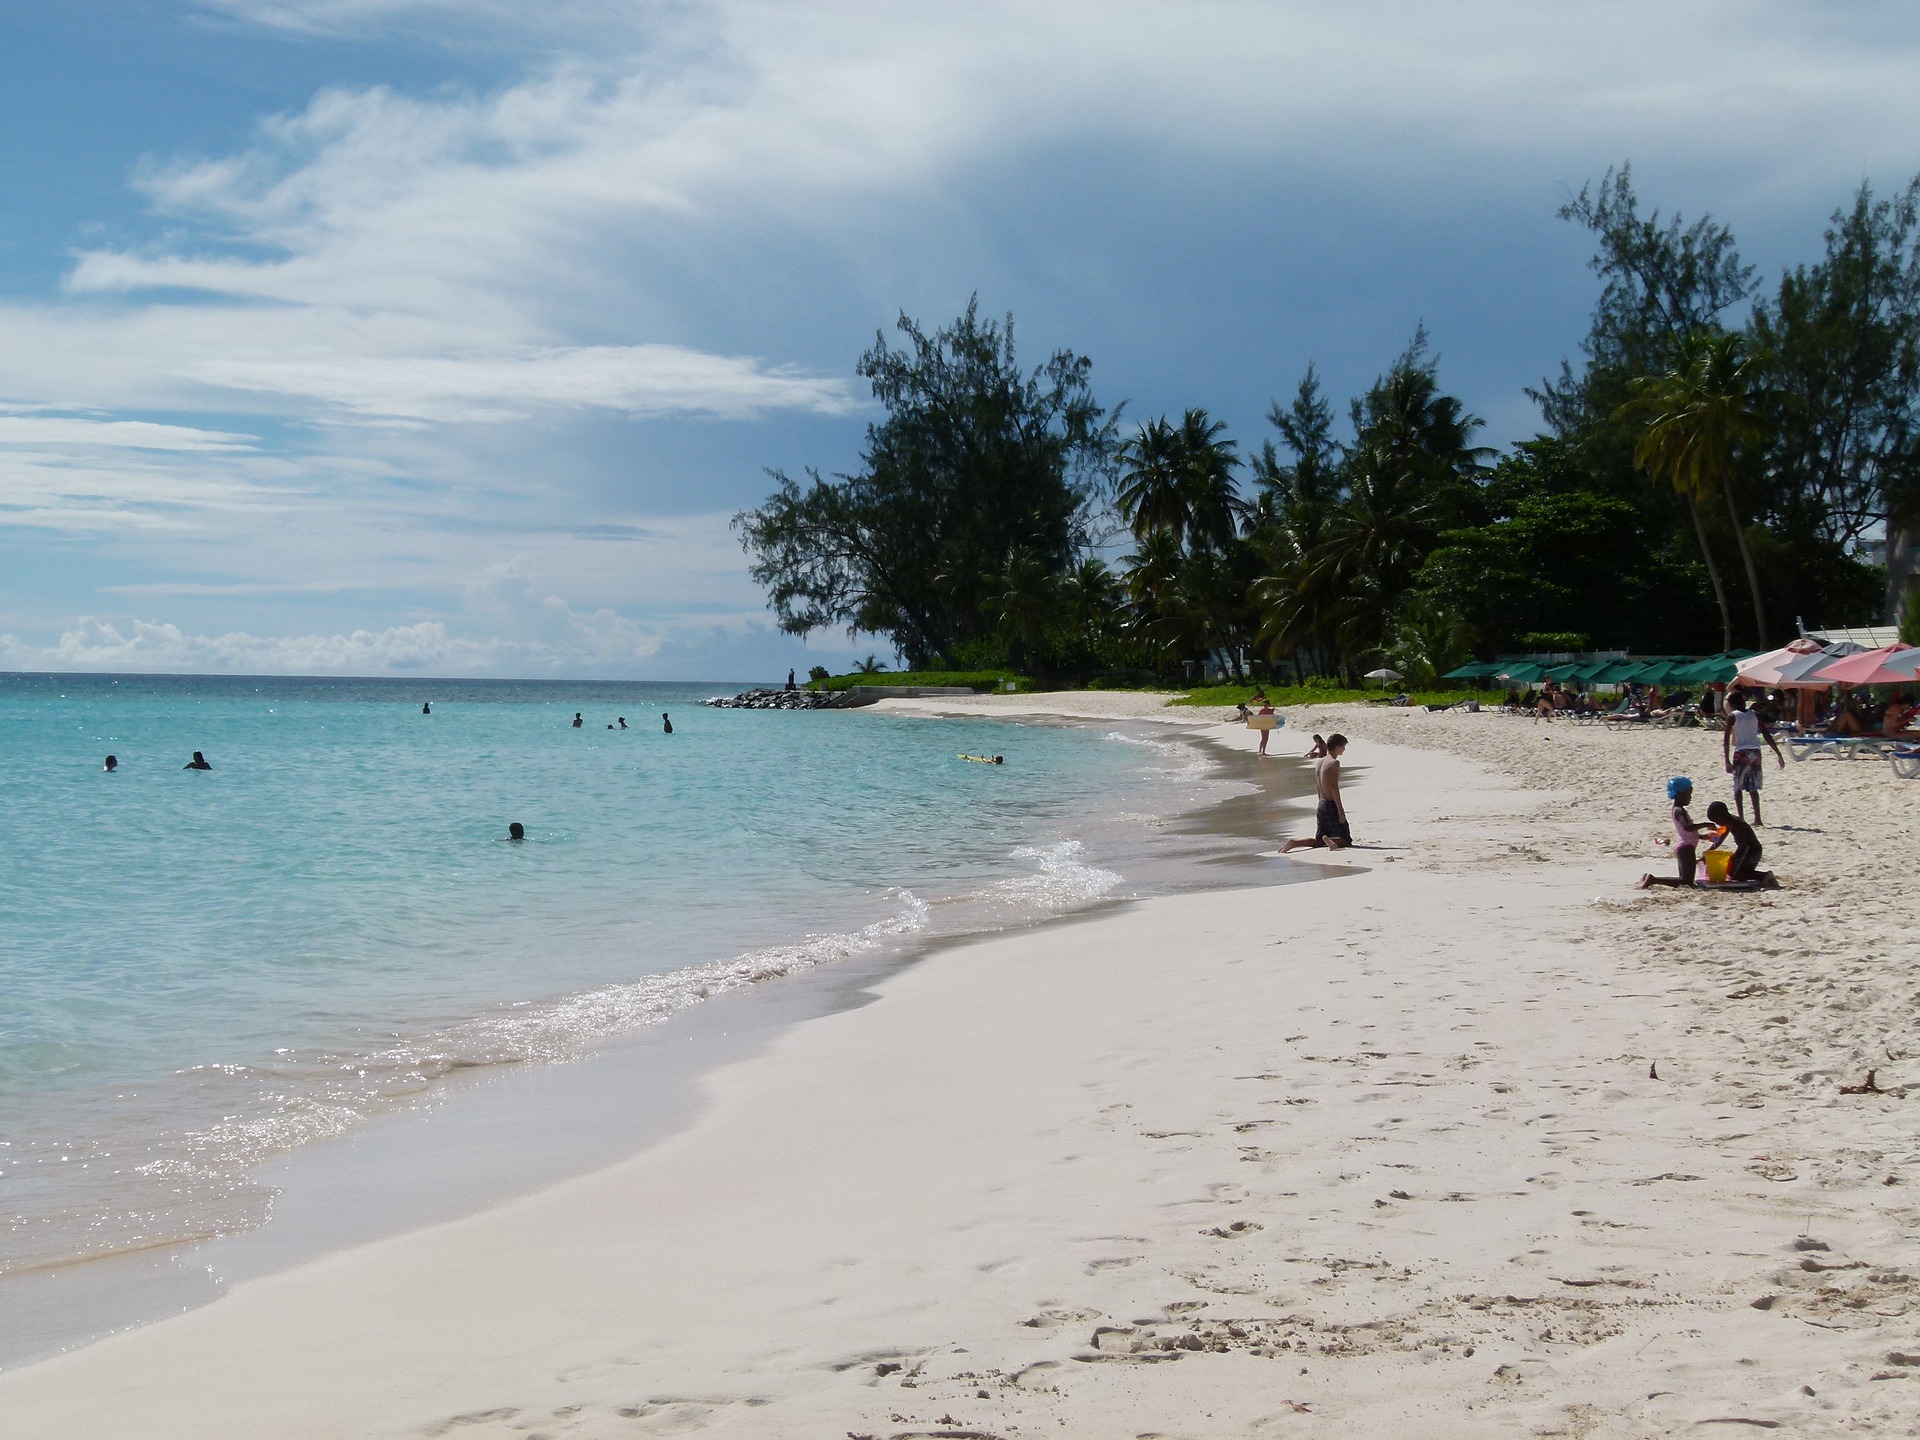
(206, 969)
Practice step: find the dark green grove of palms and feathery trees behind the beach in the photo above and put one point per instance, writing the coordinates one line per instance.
(972, 537)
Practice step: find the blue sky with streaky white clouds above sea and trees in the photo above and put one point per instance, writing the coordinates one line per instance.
(444, 337)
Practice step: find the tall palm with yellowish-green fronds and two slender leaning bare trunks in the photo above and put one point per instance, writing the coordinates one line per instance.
(1700, 414)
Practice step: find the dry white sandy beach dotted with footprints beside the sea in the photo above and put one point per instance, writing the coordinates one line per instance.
(1383, 1155)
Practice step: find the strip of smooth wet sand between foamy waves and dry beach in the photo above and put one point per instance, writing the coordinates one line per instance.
(372, 1182)
